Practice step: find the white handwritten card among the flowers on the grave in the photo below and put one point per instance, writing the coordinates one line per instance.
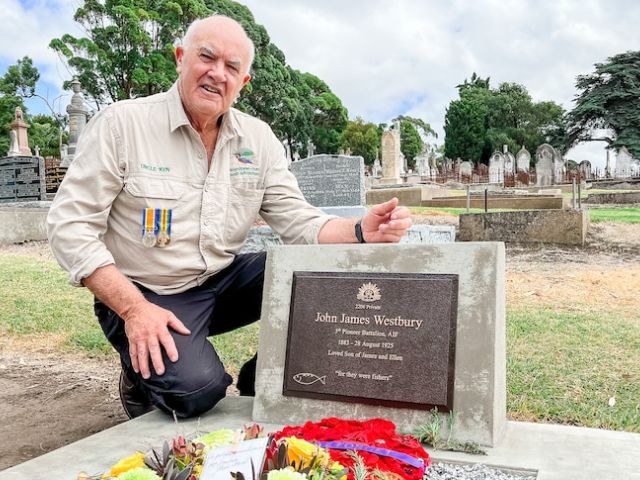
(221, 462)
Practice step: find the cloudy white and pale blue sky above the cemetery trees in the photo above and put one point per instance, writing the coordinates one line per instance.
(384, 58)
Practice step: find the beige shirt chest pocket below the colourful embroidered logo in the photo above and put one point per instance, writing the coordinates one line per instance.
(242, 210)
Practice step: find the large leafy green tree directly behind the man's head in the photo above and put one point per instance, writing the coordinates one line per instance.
(128, 51)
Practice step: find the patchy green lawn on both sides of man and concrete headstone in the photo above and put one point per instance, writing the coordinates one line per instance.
(561, 366)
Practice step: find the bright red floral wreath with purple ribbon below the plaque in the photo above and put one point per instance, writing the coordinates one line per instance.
(378, 433)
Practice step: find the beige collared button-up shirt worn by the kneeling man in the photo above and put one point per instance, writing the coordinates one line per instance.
(144, 153)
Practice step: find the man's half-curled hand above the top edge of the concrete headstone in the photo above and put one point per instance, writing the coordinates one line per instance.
(385, 222)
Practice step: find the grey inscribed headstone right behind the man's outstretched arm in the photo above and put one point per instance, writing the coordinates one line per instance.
(331, 180)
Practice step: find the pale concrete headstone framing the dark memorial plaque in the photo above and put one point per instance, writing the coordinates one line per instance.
(479, 399)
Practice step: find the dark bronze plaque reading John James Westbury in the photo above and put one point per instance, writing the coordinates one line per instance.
(377, 338)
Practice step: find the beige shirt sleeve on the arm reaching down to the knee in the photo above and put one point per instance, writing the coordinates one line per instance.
(78, 216)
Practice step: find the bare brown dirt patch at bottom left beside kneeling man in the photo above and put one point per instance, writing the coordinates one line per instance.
(46, 403)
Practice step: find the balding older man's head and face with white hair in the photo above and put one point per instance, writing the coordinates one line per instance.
(212, 69)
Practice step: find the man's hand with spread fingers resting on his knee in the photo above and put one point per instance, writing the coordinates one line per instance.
(147, 328)
